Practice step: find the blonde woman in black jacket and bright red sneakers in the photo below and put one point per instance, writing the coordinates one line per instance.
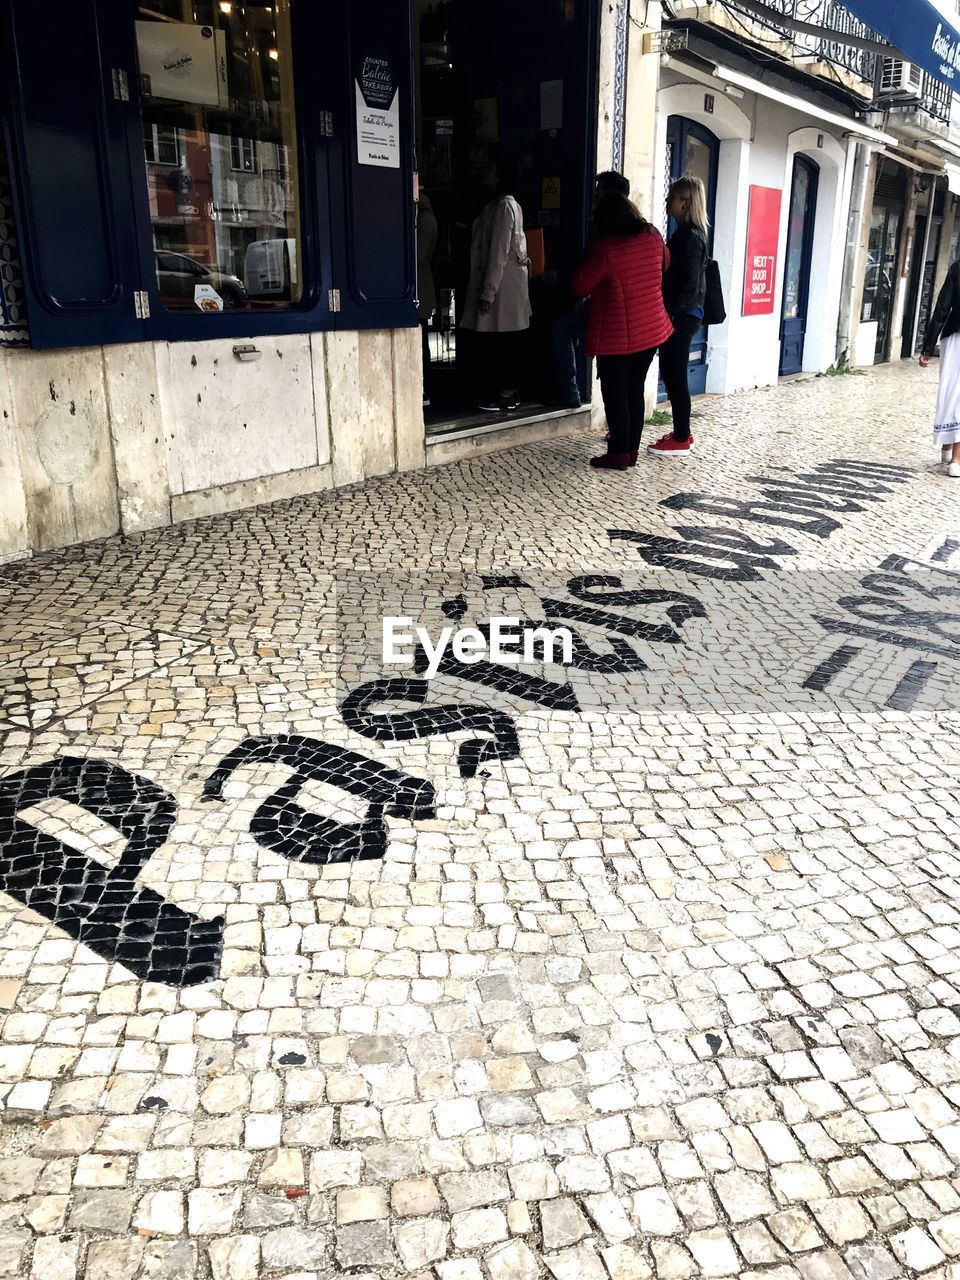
(684, 292)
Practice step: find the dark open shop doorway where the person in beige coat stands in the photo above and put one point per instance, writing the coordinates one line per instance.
(519, 84)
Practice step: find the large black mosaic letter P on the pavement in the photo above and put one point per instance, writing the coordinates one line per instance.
(99, 906)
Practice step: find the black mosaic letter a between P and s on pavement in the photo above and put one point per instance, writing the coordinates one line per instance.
(292, 831)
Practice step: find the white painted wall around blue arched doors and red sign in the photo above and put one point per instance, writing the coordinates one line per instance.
(760, 140)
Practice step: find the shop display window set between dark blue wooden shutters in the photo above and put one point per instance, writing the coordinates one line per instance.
(220, 143)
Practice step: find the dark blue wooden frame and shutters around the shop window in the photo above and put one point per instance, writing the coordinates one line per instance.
(356, 222)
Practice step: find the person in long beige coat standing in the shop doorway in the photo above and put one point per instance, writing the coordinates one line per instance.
(497, 305)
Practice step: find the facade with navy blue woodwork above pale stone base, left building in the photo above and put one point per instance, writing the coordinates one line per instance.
(208, 237)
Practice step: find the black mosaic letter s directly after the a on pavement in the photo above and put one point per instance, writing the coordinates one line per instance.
(428, 723)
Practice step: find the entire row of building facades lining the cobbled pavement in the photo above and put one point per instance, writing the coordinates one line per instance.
(211, 289)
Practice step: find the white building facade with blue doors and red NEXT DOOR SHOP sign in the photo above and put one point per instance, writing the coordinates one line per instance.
(826, 162)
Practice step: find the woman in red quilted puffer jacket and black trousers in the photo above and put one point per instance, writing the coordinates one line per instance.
(624, 278)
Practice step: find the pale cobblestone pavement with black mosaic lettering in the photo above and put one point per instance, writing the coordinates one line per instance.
(643, 967)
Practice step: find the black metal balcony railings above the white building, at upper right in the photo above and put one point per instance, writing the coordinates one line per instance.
(932, 97)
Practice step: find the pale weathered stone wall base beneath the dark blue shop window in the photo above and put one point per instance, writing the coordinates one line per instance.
(99, 441)
